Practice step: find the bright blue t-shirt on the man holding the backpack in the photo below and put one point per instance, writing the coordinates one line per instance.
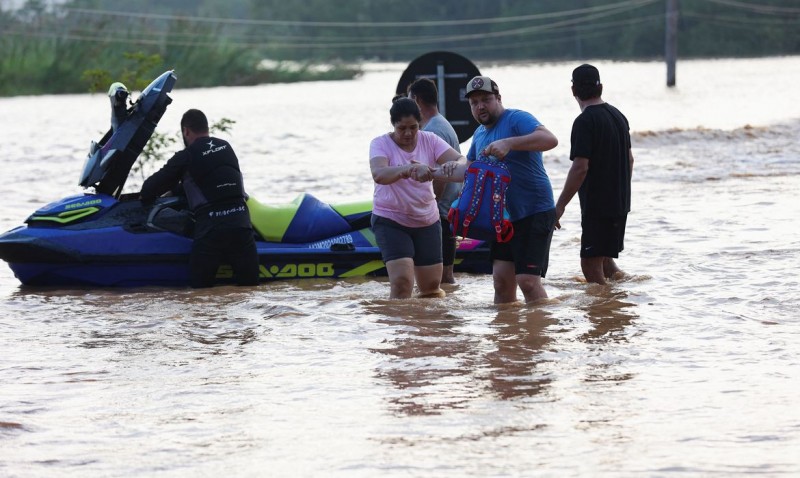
(530, 190)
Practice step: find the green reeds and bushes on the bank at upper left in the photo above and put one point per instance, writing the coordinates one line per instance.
(58, 49)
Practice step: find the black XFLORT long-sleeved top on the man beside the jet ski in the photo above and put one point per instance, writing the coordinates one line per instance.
(208, 170)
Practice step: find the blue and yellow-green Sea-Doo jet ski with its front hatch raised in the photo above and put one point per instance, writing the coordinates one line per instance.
(104, 238)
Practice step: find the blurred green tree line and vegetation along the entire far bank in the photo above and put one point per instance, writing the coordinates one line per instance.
(46, 47)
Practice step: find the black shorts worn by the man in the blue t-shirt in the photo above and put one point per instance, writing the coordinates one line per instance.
(529, 248)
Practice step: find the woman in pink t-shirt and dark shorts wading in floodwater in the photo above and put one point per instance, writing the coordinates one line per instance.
(405, 218)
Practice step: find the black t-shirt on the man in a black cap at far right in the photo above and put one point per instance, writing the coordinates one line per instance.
(601, 134)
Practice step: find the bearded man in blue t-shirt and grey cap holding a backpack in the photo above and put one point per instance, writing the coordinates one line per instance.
(516, 137)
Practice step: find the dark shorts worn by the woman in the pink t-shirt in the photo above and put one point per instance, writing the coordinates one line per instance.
(423, 244)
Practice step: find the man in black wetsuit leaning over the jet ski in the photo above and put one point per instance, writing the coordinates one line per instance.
(209, 173)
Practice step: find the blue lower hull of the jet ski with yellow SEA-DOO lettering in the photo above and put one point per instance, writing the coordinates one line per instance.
(39, 261)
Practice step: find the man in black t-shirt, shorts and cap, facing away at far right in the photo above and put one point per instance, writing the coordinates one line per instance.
(602, 164)
